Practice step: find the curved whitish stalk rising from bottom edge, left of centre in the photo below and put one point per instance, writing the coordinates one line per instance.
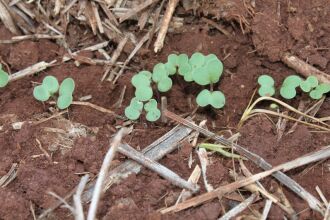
(103, 173)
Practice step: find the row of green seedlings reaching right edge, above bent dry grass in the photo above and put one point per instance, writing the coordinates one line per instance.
(290, 85)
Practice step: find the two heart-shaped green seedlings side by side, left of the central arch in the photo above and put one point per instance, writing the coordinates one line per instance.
(50, 87)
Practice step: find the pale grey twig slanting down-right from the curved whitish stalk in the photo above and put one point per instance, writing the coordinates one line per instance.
(158, 168)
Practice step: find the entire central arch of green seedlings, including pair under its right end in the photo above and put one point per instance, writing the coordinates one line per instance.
(201, 69)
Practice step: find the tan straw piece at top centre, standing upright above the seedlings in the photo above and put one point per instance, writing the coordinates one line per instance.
(164, 26)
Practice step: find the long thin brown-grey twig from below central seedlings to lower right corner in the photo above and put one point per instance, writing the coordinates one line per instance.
(313, 202)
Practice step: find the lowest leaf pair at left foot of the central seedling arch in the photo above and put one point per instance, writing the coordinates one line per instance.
(134, 110)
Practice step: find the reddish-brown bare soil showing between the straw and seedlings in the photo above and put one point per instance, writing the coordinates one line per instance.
(274, 27)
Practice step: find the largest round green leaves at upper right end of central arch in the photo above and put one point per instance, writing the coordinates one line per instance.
(206, 69)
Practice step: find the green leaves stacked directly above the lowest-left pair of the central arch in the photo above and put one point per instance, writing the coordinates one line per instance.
(142, 83)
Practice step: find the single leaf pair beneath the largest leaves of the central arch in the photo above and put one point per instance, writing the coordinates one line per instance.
(216, 99)
